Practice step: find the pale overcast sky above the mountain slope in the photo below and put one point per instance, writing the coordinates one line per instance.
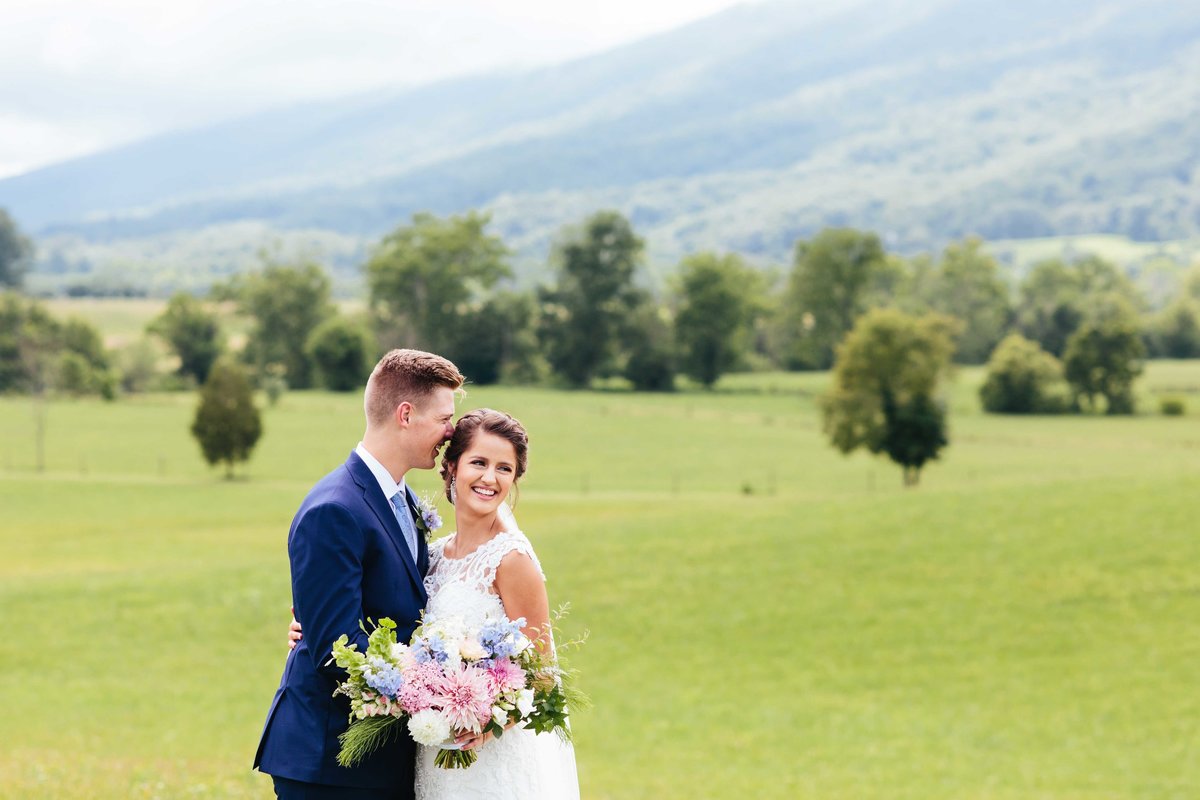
(80, 76)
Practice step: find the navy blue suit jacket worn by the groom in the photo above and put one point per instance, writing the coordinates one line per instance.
(350, 562)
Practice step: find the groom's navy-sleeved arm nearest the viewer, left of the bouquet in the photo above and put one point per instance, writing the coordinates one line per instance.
(326, 551)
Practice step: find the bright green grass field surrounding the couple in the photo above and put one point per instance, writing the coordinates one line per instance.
(769, 619)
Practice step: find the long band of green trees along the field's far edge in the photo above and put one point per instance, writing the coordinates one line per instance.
(446, 285)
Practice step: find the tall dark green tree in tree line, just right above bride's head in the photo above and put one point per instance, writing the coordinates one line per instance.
(595, 298)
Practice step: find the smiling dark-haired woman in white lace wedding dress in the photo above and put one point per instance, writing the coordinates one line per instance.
(489, 567)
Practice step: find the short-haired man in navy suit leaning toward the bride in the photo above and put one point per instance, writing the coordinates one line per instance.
(356, 555)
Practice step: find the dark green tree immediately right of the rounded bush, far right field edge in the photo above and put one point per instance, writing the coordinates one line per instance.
(1105, 357)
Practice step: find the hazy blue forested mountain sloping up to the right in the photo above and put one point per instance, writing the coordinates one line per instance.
(922, 119)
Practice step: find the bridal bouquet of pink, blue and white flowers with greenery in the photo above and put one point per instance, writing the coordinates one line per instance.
(453, 678)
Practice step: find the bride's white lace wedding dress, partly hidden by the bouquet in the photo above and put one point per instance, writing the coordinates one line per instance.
(521, 765)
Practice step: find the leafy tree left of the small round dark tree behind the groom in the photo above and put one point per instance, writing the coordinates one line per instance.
(285, 304)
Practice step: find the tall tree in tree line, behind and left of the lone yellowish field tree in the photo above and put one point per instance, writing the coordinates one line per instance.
(831, 286)
